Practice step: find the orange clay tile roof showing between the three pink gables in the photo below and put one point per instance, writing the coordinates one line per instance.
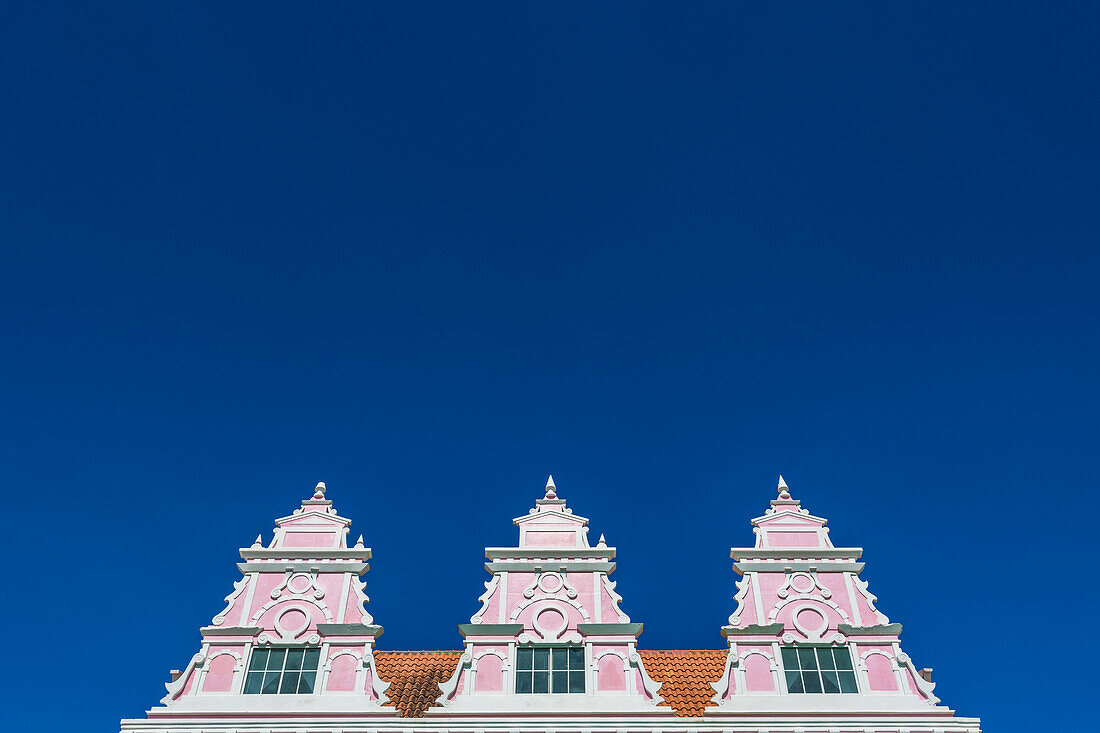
(415, 677)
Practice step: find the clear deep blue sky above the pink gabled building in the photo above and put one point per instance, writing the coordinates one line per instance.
(431, 254)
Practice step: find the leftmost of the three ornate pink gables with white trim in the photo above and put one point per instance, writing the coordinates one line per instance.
(301, 603)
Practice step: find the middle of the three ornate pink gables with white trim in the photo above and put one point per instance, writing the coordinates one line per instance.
(552, 595)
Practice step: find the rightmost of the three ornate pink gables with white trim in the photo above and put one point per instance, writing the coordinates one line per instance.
(804, 608)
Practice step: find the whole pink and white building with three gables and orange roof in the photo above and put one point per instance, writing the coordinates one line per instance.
(549, 647)
